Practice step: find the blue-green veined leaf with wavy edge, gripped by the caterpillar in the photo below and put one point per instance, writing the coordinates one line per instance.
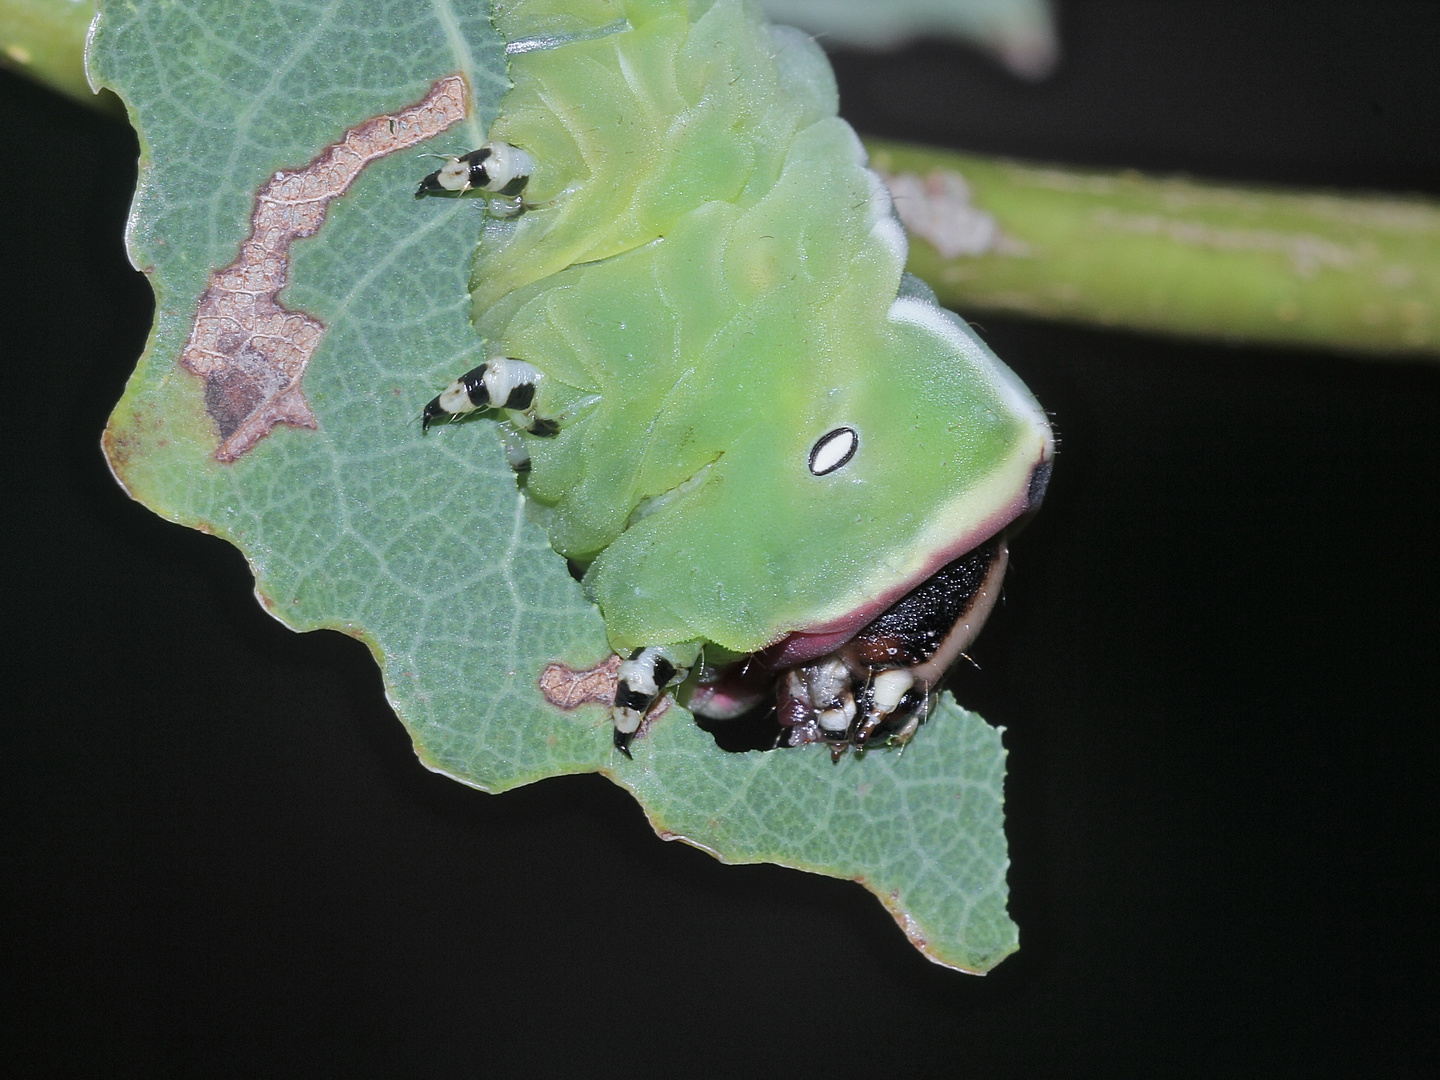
(421, 546)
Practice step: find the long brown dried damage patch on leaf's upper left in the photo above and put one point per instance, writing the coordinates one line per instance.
(253, 352)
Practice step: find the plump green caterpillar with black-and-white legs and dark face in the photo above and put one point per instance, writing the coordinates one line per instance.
(775, 457)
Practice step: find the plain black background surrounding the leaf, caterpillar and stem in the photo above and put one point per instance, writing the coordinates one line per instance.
(1216, 667)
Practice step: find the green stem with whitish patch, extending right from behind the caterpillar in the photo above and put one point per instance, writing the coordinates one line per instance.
(1179, 257)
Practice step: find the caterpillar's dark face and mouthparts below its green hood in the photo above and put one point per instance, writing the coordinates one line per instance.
(876, 688)
